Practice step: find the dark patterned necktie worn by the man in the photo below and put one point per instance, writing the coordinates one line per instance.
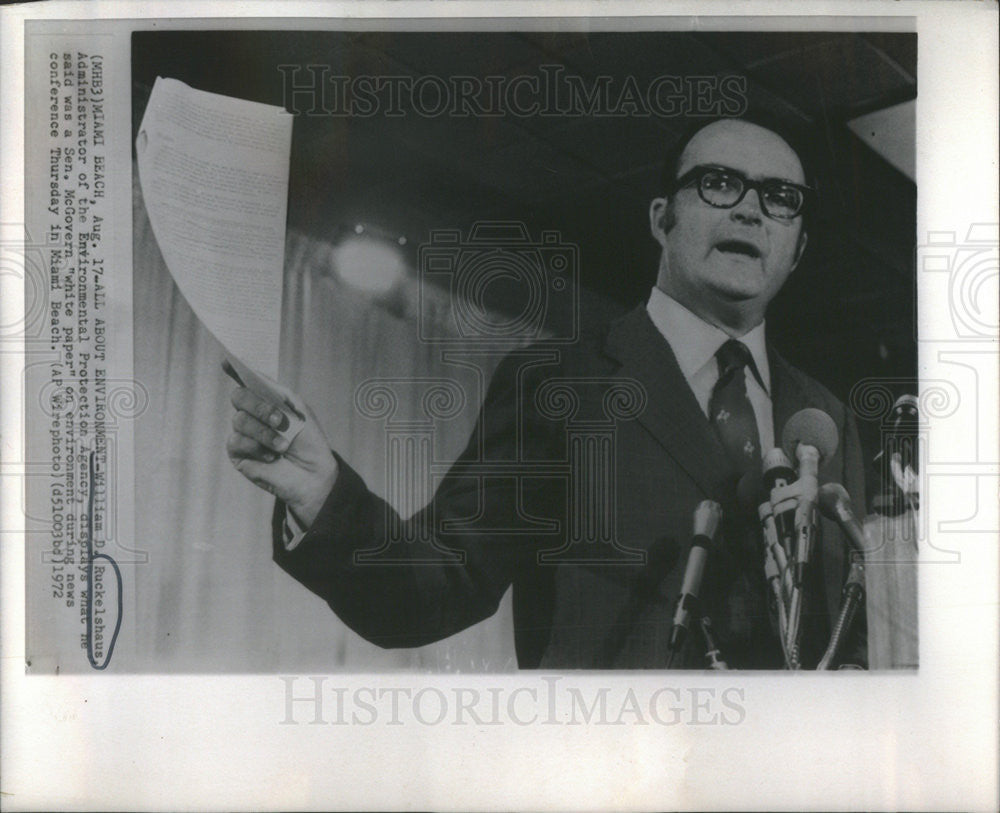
(729, 409)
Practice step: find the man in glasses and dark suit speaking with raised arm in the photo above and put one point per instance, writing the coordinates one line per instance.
(686, 394)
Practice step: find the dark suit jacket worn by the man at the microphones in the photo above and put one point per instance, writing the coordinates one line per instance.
(513, 510)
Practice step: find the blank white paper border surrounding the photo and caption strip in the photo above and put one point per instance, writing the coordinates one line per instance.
(907, 741)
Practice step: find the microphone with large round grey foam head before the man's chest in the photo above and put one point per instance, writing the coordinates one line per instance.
(811, 437)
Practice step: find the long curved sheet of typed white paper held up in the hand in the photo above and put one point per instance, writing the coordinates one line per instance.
(214, 176)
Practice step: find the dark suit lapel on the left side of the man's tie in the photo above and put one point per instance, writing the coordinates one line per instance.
(672, 414)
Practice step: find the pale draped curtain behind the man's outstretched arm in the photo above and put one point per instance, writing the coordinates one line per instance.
(210, 599)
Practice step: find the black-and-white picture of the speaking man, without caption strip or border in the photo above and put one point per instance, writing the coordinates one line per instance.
(585, 329)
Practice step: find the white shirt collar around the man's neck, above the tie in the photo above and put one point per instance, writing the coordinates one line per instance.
(695, 342)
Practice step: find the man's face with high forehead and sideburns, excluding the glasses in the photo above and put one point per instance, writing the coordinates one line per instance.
(727, 264)
